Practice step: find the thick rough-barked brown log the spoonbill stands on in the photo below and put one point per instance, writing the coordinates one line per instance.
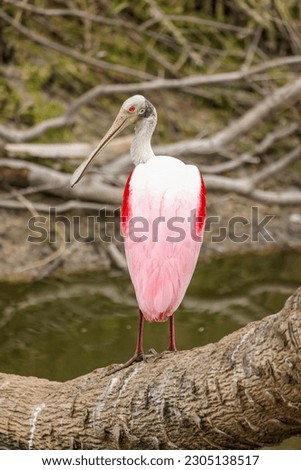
(243, 392)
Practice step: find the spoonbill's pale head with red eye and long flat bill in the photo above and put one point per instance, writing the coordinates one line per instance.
(132, 110)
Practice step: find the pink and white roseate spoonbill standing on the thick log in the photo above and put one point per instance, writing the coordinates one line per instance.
(162, 218)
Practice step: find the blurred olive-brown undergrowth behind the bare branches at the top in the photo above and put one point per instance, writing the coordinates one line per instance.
(124, 41)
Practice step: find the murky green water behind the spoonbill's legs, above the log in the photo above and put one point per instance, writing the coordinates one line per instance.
(62, 328)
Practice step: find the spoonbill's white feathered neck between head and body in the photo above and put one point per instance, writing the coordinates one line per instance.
(141, 149)
